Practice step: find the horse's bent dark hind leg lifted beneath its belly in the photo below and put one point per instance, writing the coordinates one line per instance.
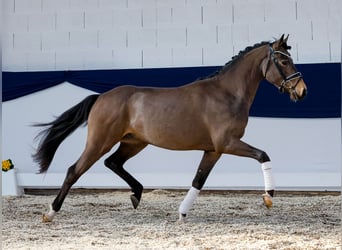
(116, 161)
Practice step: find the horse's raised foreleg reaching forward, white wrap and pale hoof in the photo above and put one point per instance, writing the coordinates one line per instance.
(241, 148)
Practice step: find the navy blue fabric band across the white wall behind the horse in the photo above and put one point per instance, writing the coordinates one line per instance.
(323, 81)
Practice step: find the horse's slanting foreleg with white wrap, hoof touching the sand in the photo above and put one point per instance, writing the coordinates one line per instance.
(207, 163)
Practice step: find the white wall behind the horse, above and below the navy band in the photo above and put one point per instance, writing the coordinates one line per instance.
(117, 34)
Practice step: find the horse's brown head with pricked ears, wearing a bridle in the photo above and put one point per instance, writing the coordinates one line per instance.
(278, 68)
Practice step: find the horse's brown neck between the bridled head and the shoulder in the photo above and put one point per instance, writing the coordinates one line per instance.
(244, 77)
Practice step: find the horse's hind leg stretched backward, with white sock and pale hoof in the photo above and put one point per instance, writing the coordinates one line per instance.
(88, 158)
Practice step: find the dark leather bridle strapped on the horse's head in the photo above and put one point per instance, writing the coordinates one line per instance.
(286, 79)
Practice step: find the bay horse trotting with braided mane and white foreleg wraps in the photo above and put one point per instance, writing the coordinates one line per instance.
(208, 114)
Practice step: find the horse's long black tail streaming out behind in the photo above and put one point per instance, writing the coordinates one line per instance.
(59, 129)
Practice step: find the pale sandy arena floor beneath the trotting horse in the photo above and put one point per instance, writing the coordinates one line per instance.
(218, 220)
